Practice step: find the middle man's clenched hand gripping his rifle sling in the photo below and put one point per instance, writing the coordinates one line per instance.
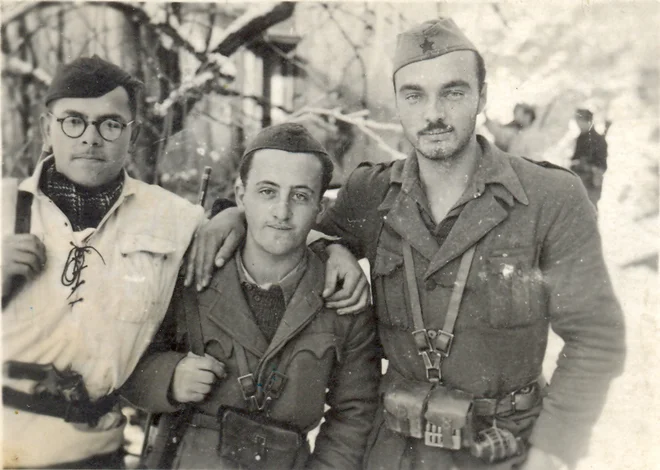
(193, 377)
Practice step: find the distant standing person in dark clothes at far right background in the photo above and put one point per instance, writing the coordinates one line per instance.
(589, 160)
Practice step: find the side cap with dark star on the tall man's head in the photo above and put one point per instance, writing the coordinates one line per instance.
(429, 40)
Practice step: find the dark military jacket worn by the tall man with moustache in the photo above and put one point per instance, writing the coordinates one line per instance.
(538, 263)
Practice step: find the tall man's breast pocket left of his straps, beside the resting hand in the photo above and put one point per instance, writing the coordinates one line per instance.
(389, 285)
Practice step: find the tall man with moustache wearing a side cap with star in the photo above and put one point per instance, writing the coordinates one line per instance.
(474, 255)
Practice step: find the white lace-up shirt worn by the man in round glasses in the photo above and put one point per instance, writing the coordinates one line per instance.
(101, 328)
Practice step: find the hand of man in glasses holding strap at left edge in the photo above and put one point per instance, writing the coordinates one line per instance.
(22, 255)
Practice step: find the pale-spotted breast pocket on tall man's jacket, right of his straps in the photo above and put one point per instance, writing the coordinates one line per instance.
(515, 287)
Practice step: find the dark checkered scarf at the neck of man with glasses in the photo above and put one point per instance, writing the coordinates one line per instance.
(83, 207)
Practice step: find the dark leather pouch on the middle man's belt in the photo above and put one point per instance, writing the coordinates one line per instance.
(256, 442)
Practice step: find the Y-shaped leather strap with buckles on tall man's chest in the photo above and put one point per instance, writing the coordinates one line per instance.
(435, 345)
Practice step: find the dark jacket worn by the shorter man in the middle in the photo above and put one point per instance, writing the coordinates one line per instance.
(329, 352)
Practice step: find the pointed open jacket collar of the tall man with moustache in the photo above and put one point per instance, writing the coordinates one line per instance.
(493, 171)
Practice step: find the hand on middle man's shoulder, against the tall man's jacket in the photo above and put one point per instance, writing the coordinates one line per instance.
(354, 294)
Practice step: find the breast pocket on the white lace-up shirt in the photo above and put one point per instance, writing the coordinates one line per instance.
(142, 267)
